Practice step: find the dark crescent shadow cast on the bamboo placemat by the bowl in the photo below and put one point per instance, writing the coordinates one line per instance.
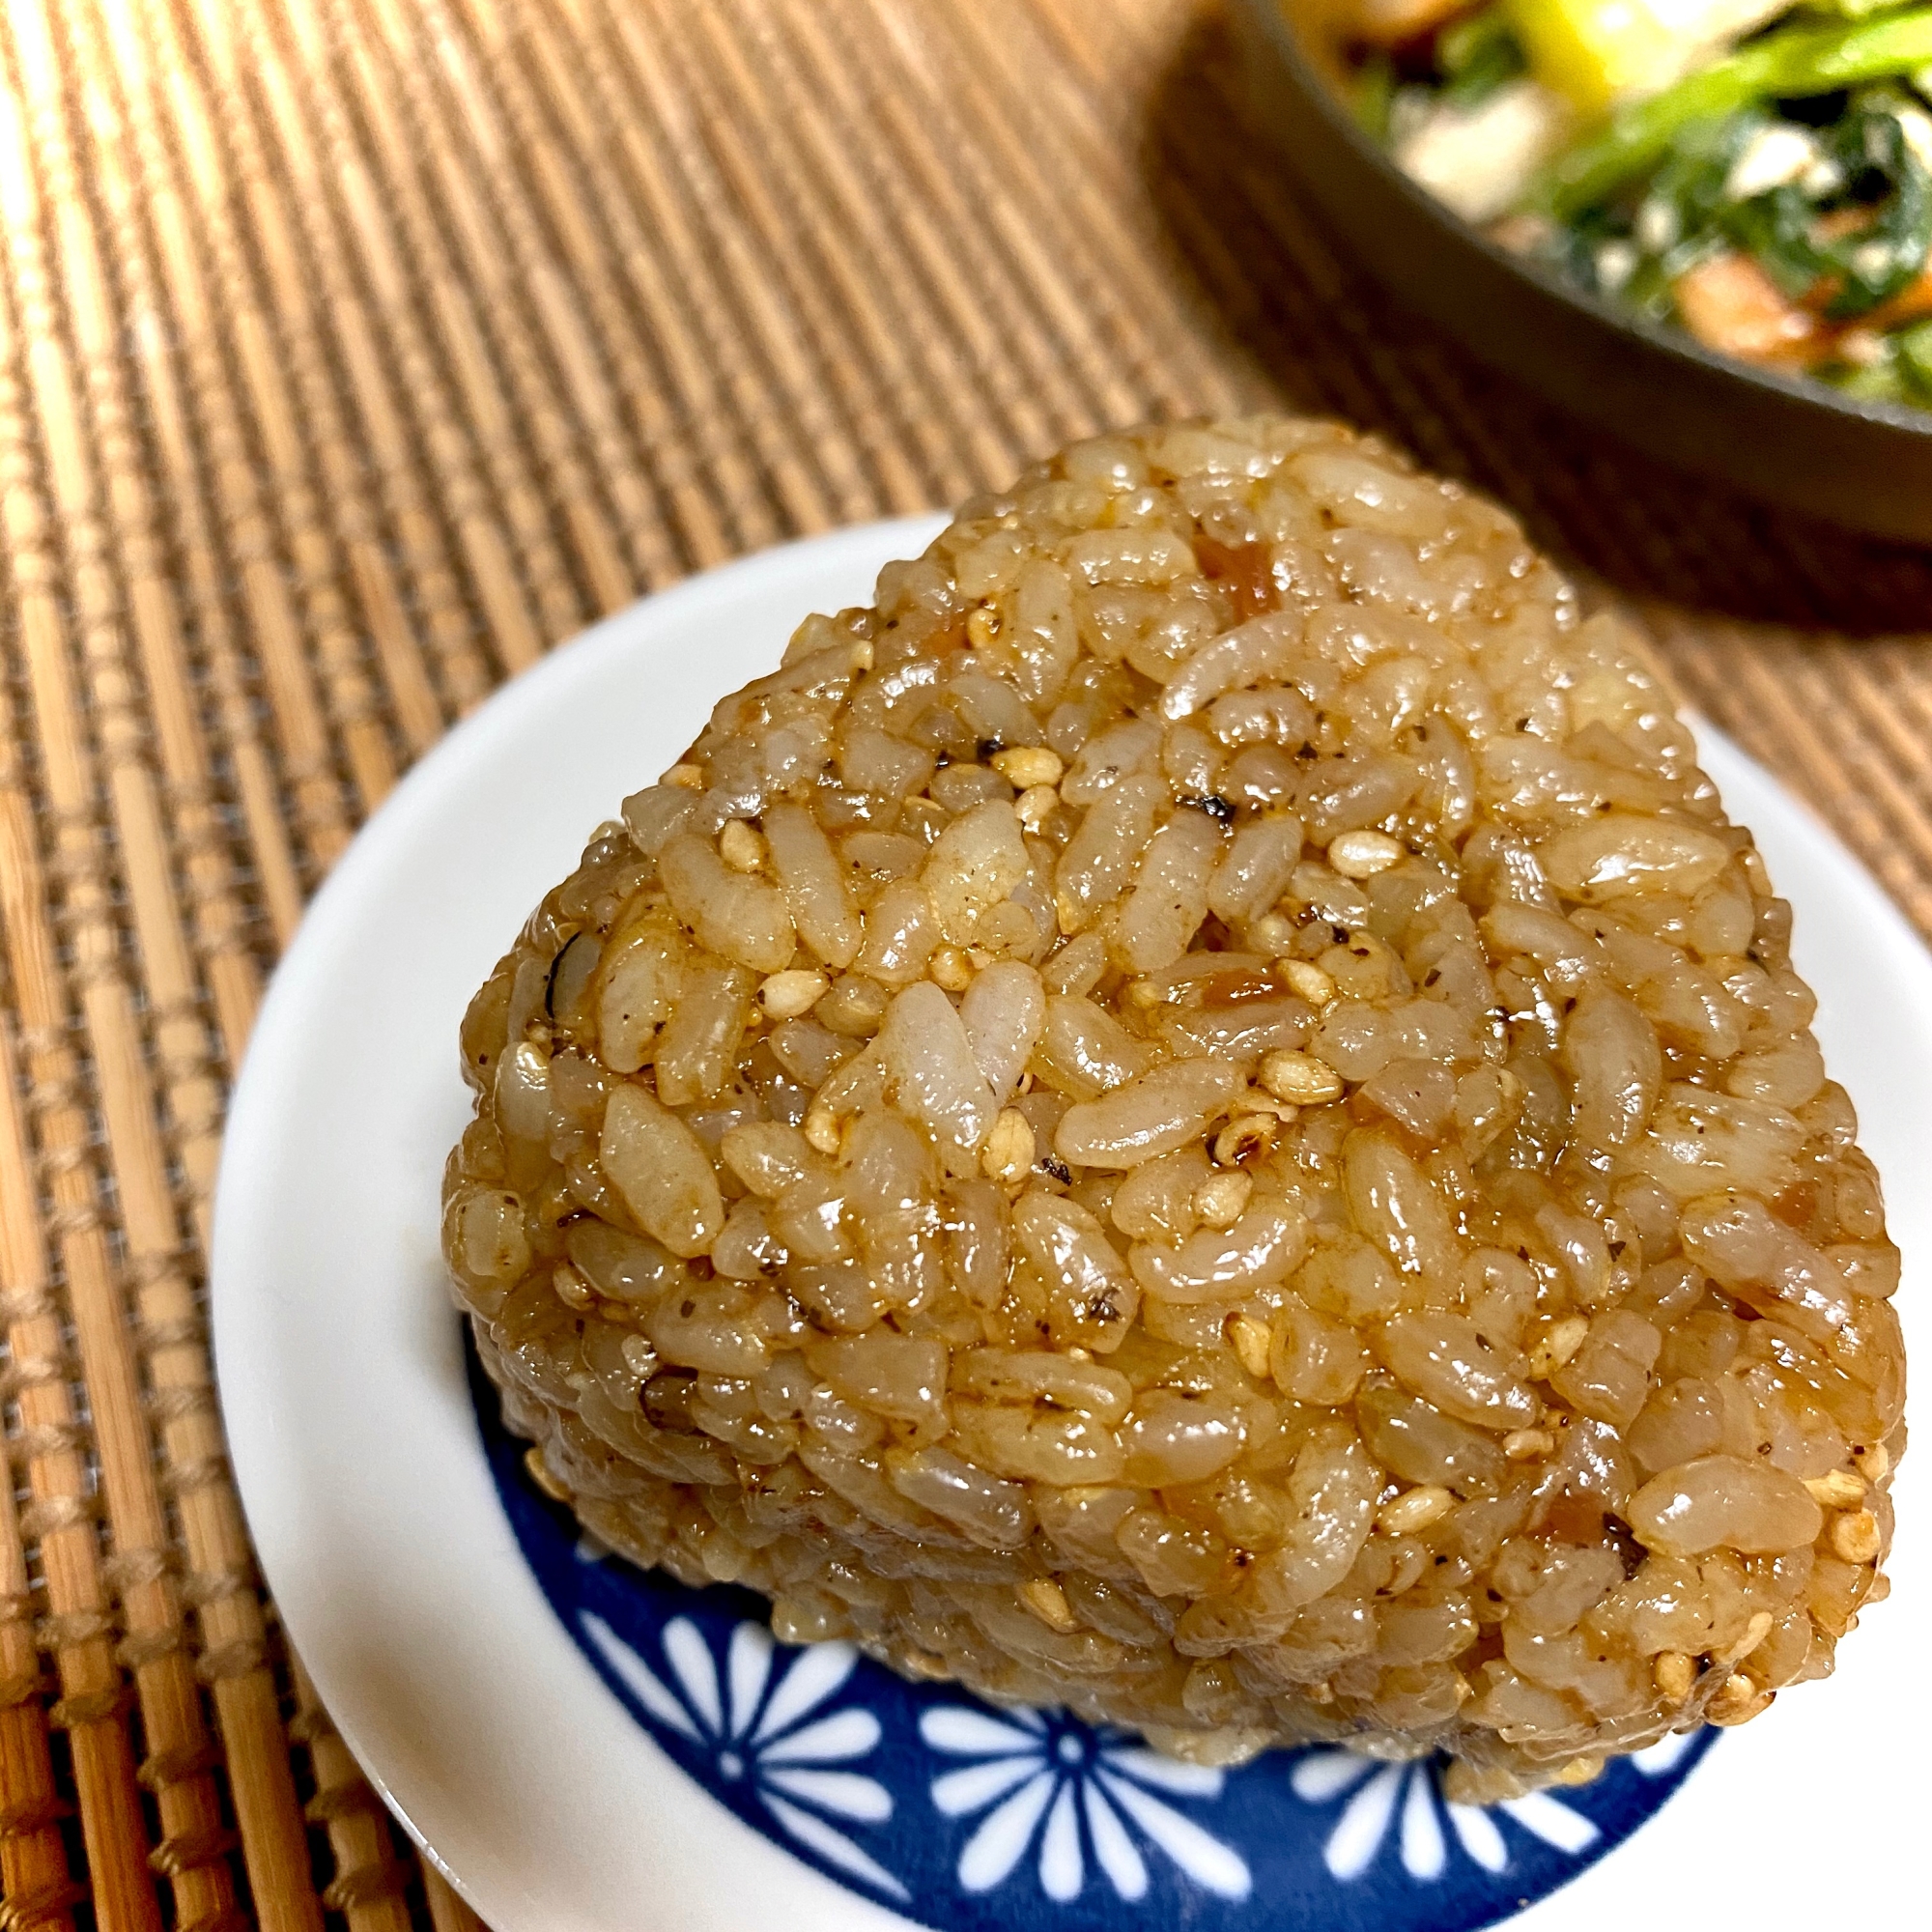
(1338, 343)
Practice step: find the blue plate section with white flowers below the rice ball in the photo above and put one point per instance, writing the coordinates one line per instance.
(979, 1819)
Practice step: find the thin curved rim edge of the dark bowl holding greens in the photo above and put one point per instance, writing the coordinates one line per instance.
(1276, 20)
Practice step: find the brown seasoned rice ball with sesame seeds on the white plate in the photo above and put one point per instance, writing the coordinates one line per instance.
(1199, 1116)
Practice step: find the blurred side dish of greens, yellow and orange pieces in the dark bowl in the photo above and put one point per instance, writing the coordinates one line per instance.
(1746, 171)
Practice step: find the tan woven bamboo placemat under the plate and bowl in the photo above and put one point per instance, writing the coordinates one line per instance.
(353, 353)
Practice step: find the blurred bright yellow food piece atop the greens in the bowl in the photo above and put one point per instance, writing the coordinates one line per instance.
(1599, 53)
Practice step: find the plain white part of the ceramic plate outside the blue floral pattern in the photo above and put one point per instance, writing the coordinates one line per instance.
(356, 1444)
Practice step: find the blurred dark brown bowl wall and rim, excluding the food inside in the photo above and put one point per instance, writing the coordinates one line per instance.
(1782, 440)
